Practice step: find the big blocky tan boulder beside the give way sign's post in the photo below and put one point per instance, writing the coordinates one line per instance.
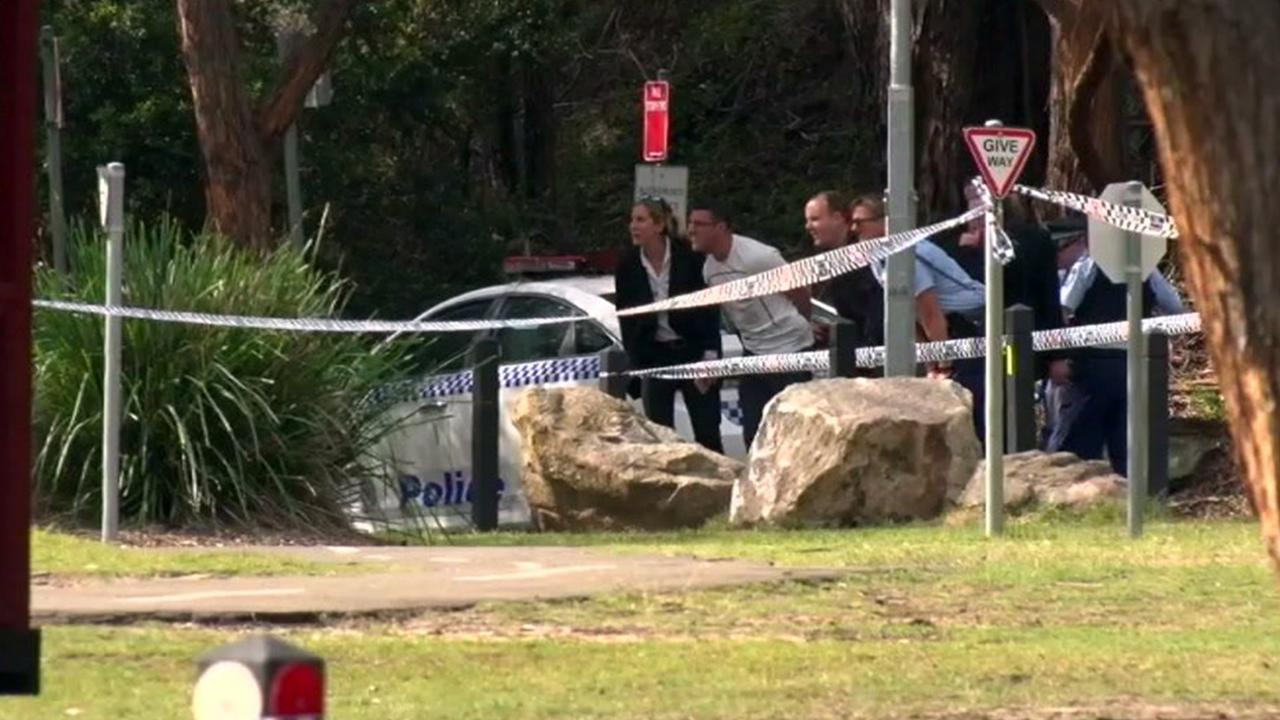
(858, 452)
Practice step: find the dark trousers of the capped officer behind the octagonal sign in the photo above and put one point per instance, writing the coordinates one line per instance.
(1094, 412)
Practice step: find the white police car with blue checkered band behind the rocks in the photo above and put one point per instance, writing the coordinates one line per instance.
(427, 455)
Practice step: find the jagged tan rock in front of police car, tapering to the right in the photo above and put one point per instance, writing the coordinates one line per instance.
(591, 462)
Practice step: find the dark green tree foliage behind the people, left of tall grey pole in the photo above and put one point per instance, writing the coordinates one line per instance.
(464, 131)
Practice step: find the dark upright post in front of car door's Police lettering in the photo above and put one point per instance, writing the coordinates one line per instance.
(484, 435)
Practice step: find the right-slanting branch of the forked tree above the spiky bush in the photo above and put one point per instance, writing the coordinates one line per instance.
(304, 65)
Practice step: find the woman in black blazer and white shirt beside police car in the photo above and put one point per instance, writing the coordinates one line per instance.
(660, 266)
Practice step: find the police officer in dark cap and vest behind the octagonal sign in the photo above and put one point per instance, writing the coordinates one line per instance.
(1092, 409)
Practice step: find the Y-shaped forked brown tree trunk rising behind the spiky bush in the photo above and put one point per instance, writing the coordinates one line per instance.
(236, 142)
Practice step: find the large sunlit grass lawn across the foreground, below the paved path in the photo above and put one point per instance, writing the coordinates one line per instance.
(926, 621)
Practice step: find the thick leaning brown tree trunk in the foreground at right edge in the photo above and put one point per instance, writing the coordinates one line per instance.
(1212, 81)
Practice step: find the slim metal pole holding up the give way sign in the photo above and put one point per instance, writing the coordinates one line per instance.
(995, 389)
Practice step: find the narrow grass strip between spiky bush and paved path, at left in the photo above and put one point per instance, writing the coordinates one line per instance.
(75, 557)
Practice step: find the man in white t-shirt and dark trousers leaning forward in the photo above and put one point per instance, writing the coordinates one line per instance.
(771, 325)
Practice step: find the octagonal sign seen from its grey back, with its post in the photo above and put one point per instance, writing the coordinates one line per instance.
(1130, 258)
